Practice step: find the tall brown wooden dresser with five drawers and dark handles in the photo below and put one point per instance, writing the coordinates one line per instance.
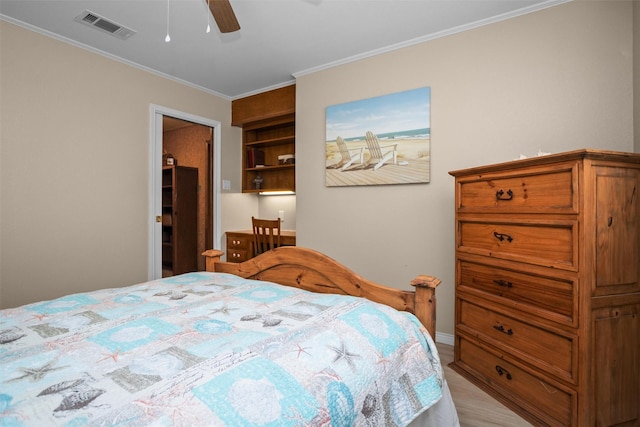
(548, 286)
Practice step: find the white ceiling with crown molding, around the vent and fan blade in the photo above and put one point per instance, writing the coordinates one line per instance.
(278, 39)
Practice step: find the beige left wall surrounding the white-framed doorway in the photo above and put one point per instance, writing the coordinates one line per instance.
(74, 179)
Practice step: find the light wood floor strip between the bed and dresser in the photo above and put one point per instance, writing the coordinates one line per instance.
(475, 407)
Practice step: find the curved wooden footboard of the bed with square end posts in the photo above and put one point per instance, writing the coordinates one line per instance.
(311, 270)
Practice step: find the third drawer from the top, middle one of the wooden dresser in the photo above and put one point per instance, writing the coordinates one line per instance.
(547, 297)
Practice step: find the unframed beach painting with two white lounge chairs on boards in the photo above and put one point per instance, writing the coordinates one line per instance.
(381, 140)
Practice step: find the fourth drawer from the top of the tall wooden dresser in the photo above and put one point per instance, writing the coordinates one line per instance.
(547, 350)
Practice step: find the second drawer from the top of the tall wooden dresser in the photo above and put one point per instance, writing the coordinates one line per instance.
(549, 243)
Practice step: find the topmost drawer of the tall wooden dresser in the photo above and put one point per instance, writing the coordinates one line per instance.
(531, 191)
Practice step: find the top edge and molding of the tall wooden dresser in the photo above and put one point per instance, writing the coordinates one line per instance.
(586, 153)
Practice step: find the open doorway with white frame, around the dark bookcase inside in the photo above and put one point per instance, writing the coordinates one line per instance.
(193, 142)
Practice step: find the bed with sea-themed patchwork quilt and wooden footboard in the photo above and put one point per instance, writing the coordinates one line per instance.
(267, 342)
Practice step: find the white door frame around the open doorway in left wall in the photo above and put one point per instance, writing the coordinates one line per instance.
(155, 182)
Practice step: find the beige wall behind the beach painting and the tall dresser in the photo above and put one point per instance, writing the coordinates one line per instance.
(554, 80)
